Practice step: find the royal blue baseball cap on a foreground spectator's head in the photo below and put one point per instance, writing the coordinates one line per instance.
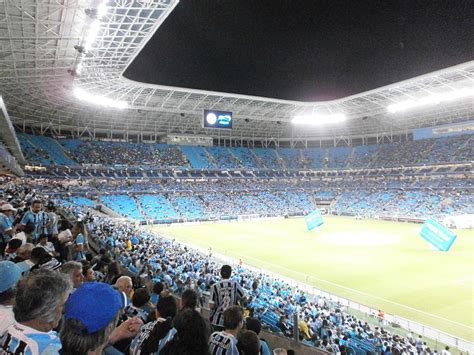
(95, 304)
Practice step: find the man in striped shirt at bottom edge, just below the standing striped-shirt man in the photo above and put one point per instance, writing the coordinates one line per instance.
(225, 342)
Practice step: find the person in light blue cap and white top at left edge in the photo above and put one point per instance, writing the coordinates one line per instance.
(10, 273)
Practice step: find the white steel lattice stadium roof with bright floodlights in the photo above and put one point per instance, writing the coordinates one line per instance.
(42, 88)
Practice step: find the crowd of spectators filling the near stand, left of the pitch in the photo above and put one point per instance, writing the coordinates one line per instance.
(56, 296)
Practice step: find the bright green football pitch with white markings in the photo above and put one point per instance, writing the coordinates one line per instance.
(380, 264)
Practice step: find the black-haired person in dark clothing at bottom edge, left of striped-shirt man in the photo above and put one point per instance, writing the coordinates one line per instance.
(192, 335)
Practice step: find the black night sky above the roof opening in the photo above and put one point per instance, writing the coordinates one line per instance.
(304, 50)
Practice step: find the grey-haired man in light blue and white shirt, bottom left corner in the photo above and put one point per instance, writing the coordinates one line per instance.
(39, 303)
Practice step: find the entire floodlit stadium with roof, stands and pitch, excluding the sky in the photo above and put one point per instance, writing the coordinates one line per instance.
(163, 184)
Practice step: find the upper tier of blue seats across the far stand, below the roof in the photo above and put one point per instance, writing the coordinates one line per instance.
(45, 151)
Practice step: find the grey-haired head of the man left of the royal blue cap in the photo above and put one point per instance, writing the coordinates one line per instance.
(40, 299)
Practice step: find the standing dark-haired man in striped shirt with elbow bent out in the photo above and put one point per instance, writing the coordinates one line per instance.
(224, 294)
